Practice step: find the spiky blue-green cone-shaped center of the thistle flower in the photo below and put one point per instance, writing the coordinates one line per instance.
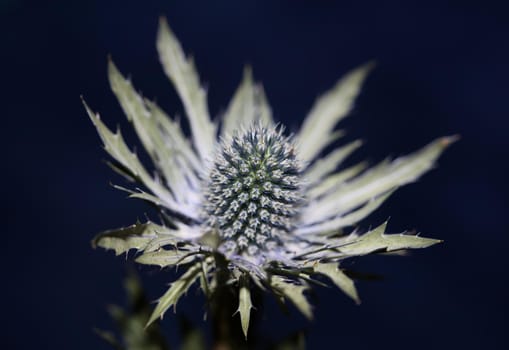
(253, 190)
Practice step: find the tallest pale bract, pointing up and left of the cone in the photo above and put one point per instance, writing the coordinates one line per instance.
(182, 73)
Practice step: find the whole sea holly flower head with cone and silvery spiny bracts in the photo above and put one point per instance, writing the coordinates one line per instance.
(242, 195)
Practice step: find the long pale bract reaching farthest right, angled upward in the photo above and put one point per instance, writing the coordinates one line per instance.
(385, 177)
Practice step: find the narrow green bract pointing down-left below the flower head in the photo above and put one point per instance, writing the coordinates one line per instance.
(176, 290)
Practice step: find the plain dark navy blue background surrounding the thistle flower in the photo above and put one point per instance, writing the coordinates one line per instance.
(443, 68)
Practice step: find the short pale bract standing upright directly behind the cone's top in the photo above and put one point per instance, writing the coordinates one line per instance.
(247, 106)
